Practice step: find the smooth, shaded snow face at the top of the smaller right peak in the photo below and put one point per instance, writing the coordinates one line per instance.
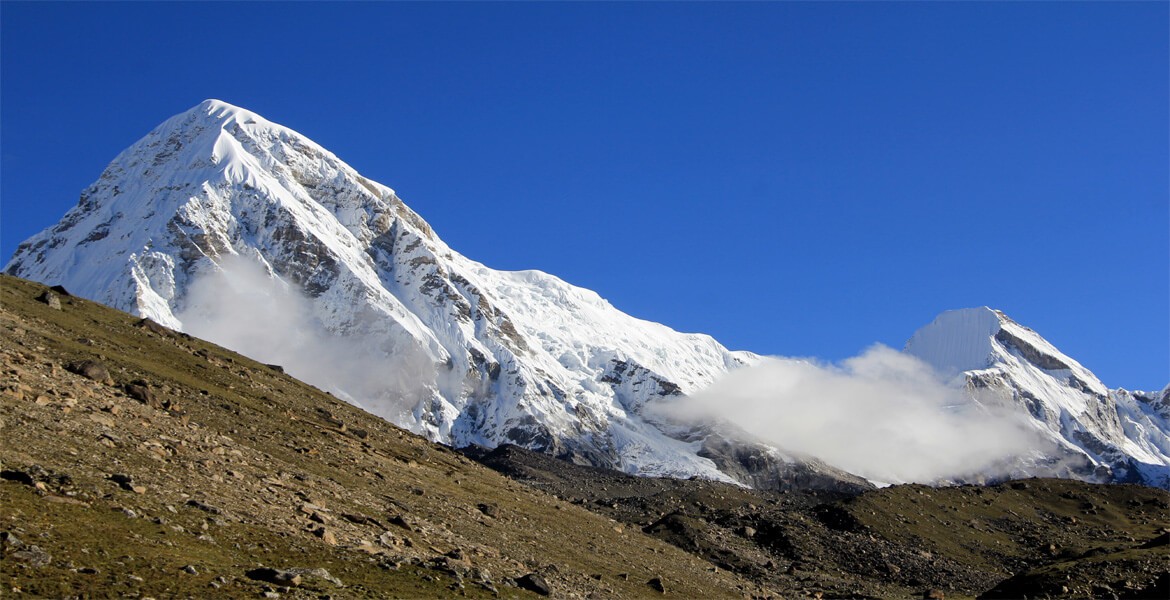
(959, 340)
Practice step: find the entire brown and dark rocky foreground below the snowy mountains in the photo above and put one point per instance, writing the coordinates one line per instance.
(139, 461)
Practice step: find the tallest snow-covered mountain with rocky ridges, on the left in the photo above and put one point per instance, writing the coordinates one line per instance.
(459, 353)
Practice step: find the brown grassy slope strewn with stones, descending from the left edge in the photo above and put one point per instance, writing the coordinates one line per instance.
(185, 468)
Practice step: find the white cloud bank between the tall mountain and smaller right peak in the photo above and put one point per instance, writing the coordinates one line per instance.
(884, 416)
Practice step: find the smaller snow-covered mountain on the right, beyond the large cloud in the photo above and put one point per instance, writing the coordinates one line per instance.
(1098, 433)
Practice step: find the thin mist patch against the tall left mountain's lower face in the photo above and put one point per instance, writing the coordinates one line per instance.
(242, 307)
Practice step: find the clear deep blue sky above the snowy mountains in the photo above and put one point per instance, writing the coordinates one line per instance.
(797, 180)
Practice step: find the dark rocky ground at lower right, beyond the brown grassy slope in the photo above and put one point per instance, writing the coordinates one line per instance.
(1028, 539)
